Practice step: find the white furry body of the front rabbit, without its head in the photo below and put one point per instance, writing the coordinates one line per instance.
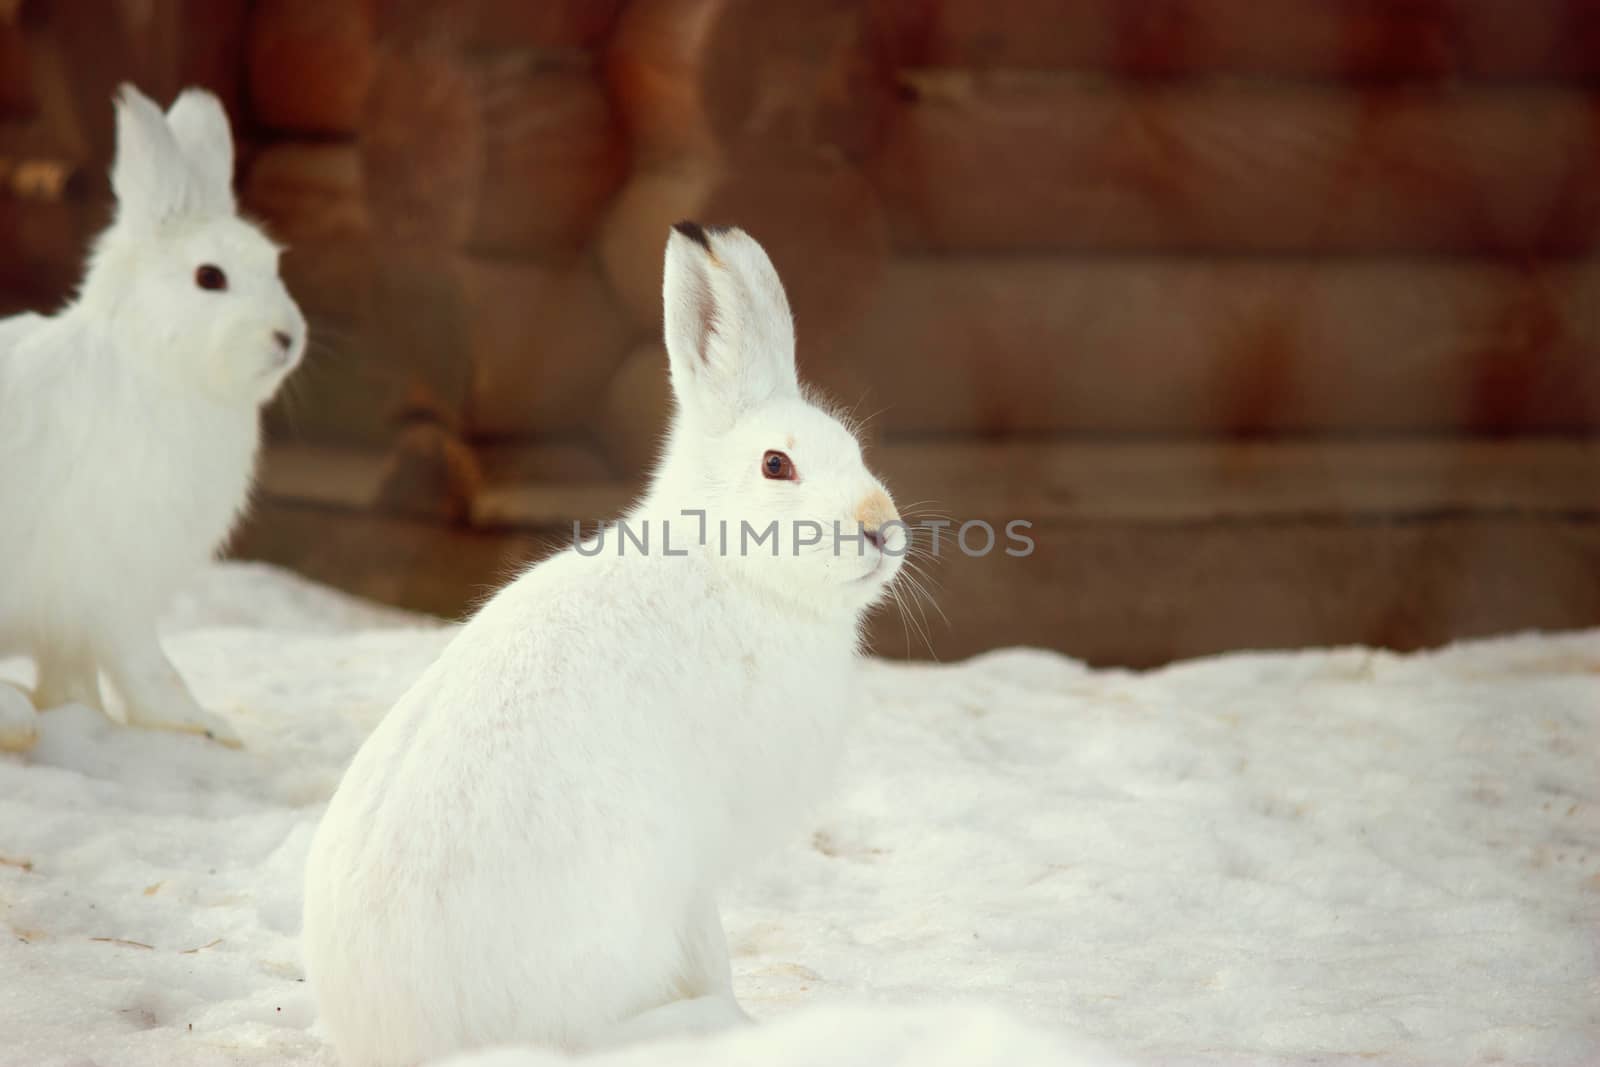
(538, 868)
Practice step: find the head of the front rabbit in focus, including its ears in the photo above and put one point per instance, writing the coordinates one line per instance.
(790, 503)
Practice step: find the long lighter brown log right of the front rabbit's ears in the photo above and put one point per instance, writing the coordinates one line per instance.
(1177, 346)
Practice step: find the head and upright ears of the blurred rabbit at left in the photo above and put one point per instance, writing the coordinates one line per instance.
(180, 279)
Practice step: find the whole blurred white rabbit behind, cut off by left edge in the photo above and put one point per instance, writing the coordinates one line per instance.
(129, 422)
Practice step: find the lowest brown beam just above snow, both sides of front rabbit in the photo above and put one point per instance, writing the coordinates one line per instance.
(1116, 594)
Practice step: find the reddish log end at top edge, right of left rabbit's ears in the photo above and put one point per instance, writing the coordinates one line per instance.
(311, 63)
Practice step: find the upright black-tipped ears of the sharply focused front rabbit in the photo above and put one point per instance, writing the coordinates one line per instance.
(729, 332)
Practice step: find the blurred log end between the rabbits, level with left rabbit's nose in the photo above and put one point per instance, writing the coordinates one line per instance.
(542, 343)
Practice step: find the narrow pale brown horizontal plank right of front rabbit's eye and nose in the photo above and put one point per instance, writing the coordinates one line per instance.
(1055, 482)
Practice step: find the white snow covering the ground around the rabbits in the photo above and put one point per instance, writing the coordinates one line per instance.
(1332, 857)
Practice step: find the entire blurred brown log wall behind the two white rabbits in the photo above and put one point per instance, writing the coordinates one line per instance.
(1278, 319)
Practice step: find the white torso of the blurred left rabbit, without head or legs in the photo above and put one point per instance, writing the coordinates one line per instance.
(106, 510)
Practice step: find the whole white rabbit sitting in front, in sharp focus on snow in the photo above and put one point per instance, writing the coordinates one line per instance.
(527, 847)
